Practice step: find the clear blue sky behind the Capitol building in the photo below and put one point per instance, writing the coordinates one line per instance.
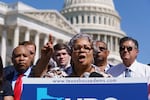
(135, 19)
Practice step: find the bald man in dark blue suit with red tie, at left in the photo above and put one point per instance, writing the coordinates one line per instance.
(21, 64)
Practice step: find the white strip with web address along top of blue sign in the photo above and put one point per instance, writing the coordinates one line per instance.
(84, 80)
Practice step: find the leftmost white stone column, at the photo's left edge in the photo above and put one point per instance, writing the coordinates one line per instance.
(3, 45)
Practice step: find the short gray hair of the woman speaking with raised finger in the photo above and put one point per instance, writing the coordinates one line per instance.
(77, 36)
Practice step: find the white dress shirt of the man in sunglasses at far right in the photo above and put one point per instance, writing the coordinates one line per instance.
(137, 70)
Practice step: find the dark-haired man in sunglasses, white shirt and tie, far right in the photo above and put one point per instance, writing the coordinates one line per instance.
(129, 67)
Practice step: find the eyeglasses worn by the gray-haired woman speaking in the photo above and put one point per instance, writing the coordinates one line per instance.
(84, 47)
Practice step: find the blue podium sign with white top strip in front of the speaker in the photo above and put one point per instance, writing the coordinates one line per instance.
(85, 89)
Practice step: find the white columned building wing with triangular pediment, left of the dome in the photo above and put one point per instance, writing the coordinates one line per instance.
(20, 22)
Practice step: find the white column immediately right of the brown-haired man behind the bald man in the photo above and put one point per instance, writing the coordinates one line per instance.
(37, 37)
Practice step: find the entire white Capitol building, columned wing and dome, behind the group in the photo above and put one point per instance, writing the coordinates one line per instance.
(21, 22)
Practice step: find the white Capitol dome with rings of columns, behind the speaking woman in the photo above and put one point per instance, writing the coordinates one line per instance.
(99, 19)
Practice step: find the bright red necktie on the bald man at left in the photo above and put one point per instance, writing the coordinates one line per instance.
(18, 88)
